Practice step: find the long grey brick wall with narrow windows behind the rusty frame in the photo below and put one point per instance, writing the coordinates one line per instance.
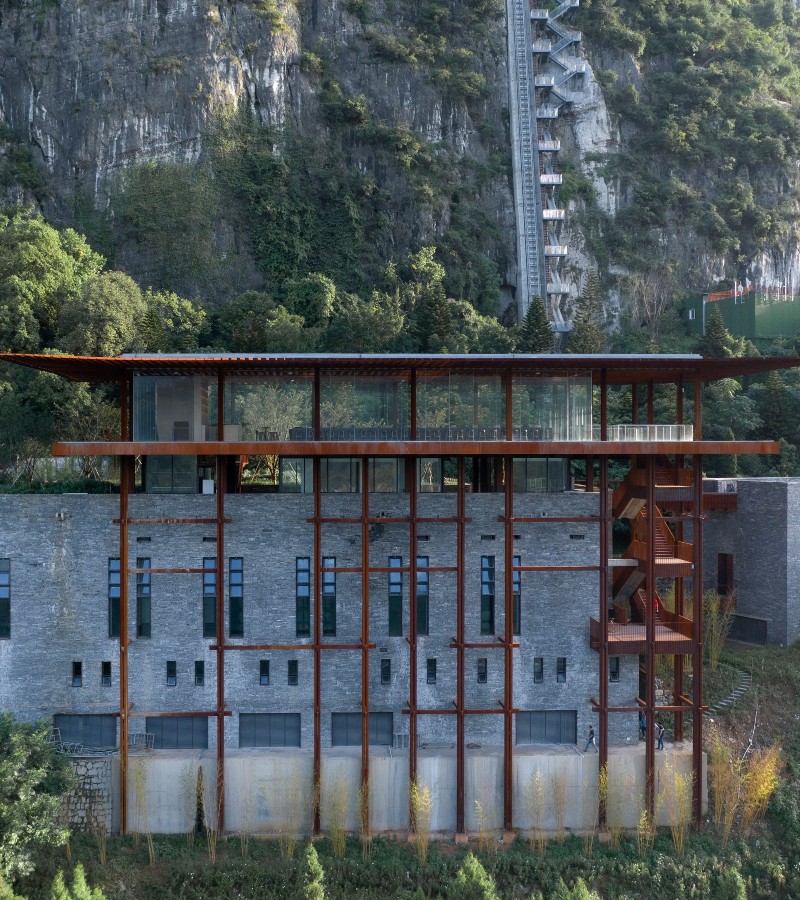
(59, 548)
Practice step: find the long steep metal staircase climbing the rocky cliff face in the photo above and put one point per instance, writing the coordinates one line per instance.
(546, 74)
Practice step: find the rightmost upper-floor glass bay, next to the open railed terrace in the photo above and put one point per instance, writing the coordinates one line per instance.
(552, 409)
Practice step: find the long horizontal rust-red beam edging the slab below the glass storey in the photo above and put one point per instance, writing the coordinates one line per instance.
(412, 448)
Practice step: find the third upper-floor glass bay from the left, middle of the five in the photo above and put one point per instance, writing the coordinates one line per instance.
(364, 408)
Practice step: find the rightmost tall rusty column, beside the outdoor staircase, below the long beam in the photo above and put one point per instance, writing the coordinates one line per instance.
(697, 642)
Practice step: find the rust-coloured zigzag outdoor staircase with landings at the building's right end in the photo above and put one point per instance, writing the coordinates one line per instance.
(672, 559)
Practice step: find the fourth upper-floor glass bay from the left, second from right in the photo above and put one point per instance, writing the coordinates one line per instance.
(460, 407)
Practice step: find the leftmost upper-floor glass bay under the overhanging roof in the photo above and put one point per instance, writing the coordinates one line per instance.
(174, 408)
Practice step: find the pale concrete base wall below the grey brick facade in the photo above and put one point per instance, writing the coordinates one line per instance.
(269, 792)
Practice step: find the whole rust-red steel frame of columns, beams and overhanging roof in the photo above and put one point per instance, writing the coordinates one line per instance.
(605, 371)
